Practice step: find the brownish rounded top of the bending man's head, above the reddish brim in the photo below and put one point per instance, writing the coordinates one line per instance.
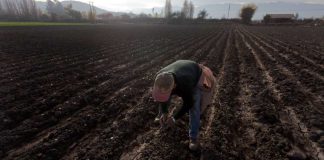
(164, 80)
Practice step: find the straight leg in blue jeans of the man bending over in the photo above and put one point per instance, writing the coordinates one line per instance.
(194, 113)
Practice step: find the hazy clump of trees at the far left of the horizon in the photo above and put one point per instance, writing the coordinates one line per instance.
(26, 10)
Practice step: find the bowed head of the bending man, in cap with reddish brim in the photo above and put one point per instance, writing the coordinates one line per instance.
(163, 85)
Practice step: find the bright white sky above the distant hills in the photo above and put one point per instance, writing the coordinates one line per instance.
(133, 5)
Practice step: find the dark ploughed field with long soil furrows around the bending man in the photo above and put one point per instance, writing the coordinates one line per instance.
(84, 92)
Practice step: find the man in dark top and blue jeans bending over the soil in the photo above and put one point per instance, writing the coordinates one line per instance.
(191, 81)
